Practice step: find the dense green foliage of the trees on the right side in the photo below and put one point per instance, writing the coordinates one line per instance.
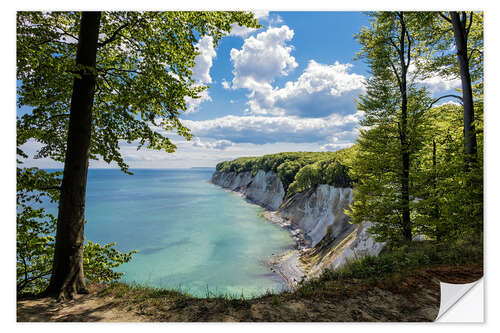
(446, 195)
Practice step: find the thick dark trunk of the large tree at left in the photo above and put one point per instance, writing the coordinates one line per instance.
(67, 271)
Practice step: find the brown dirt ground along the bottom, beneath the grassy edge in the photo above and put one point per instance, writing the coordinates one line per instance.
(415, 297)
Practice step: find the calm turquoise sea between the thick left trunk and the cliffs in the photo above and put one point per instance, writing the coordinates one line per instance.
(190, 234)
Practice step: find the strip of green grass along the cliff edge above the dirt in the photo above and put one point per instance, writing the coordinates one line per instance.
(386, 270)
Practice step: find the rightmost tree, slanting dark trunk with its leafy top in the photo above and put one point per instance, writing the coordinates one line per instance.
(454, 42)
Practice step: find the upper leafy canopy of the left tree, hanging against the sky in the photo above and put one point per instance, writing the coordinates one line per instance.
(143, 74)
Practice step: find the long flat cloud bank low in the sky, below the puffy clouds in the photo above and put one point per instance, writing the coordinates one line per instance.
(261, 129)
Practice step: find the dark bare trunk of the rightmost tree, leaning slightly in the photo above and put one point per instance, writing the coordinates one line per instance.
(460, 32)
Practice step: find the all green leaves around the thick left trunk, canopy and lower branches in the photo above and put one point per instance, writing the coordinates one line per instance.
(143, 82)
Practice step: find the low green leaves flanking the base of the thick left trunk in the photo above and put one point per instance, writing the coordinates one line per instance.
(35, 240)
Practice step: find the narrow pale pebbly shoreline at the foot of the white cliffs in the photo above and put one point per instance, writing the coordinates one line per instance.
(286, 264)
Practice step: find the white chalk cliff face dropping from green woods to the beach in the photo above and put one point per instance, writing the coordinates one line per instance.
(317, 214)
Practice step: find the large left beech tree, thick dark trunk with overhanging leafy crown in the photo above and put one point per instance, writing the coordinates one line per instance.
(94, 80)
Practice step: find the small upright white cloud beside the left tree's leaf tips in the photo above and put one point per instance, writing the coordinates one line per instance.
(201, 71)
